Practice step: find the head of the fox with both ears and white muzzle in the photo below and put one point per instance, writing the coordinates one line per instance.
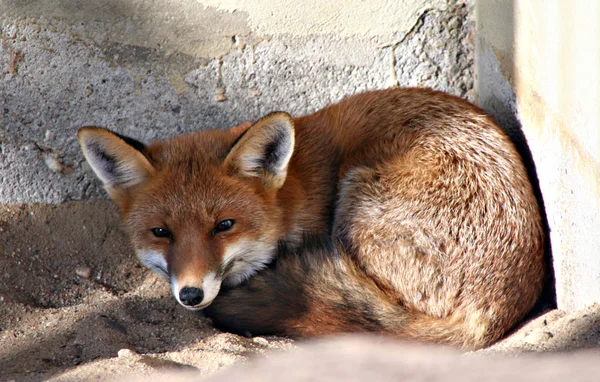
(201, 208)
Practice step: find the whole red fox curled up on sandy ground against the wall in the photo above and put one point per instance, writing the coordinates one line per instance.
(406, 212)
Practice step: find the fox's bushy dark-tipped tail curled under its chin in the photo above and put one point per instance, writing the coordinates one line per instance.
(315, 290)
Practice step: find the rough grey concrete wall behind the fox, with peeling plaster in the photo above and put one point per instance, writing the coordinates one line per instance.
(153, 69)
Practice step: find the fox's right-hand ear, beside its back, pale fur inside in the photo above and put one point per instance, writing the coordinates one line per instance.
(264, 150)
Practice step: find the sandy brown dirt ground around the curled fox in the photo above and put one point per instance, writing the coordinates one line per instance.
(75, 304)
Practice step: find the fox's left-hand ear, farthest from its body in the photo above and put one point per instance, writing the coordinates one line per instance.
(117, 161)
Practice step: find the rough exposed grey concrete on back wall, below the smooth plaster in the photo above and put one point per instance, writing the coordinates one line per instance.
(68, 79)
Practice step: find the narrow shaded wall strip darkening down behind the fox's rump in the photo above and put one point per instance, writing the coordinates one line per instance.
(495, 71)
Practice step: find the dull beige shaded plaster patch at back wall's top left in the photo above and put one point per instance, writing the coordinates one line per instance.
(188, 27)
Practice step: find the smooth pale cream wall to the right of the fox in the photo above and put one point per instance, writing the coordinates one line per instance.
(539, 66)
